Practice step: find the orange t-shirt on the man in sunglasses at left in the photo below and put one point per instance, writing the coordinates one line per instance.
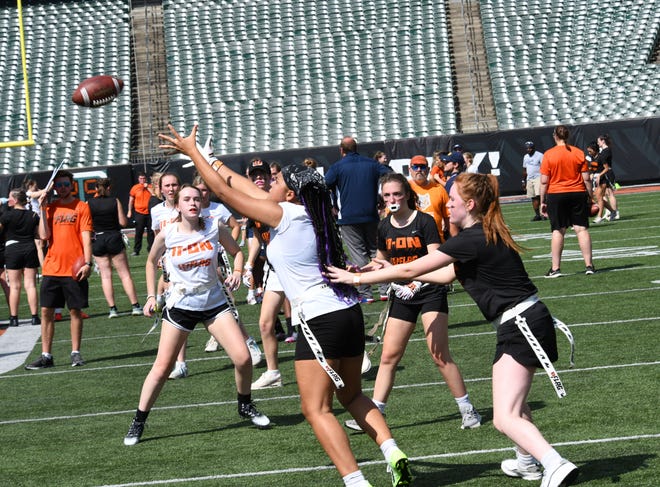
(66, 222)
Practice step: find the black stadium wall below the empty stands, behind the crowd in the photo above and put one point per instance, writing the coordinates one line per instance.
(636, 151)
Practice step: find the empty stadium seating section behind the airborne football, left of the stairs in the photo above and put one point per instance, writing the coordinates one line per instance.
(66, 42)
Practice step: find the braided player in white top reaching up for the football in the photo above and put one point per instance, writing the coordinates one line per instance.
(283, 210)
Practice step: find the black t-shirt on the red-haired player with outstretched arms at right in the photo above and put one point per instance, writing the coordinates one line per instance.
(492, 274)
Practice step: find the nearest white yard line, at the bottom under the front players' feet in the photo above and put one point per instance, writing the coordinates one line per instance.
(318, 468)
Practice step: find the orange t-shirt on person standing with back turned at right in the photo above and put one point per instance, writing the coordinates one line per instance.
(564, 169)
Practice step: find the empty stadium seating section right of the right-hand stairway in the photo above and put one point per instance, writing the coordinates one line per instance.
(571, 62)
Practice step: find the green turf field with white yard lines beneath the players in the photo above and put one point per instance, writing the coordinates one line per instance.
(65, 426)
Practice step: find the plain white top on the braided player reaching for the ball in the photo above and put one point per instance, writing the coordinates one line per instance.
(292, 253)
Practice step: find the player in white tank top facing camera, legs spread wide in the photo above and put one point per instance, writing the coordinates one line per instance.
(192, 256)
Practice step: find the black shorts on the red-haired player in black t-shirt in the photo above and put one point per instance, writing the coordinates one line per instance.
(511, 341)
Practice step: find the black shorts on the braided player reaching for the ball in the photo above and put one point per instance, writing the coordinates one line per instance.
(340, 334)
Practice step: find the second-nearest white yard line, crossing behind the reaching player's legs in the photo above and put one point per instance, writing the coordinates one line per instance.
(296, 396)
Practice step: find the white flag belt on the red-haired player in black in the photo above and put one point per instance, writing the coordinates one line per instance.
(521, 322)
